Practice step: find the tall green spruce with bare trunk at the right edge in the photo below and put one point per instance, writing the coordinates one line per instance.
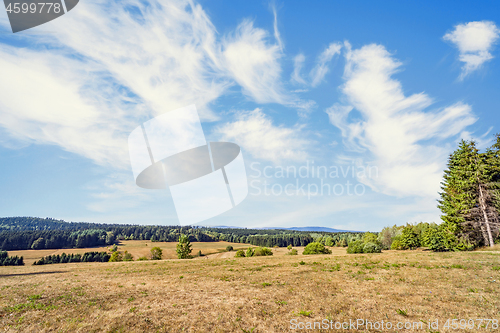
(469, 197)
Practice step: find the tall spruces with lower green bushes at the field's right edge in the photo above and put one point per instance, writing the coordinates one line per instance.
(469, 202)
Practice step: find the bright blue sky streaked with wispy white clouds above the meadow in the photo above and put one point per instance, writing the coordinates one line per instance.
(389, 85)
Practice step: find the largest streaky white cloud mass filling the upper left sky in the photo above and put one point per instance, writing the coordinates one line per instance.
(113, 66)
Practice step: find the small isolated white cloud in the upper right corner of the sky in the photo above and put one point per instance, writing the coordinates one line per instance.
(474, 41)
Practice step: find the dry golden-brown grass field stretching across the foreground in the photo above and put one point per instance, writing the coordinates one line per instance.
(258, 294)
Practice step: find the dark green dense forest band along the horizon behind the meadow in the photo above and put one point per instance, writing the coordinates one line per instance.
(22, 233)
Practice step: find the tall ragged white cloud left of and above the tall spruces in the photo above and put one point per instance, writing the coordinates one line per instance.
(401, 135)
